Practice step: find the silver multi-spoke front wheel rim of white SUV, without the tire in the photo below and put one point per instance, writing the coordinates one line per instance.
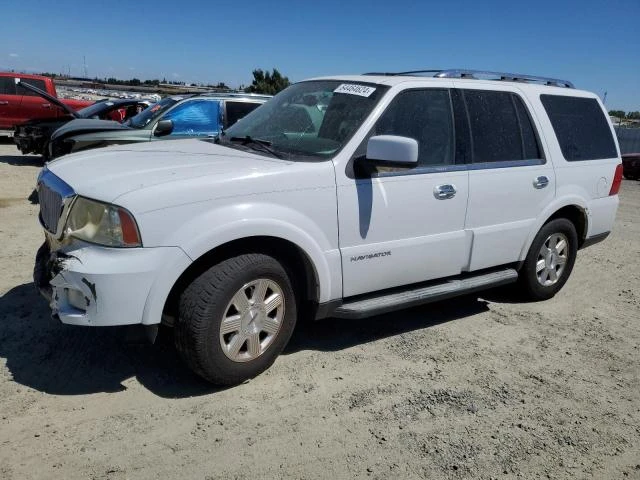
(252, 320)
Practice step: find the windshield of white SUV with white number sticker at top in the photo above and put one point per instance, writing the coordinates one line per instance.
(315, 118)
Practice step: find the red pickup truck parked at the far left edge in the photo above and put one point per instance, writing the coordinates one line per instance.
(17, 104)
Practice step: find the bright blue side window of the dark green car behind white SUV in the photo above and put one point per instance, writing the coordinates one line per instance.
(195, 117)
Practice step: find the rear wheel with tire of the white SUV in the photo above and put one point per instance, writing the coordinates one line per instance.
(537, 280)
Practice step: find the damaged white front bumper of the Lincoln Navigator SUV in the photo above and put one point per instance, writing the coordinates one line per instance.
(99, 286)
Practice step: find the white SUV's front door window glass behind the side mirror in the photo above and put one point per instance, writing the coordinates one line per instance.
(424, 115)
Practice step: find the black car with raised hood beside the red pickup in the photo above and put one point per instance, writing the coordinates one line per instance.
(33, 136)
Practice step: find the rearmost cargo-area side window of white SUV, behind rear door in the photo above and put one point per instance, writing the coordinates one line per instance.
(580, 127)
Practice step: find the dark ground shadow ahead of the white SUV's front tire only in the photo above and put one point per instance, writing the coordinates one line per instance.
(50, 357)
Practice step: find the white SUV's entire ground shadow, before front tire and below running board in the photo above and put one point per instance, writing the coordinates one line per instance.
(43, 354)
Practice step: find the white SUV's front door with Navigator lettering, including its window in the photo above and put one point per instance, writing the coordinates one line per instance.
(400, 226)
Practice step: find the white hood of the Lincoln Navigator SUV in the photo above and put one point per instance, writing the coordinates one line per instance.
(108, 173)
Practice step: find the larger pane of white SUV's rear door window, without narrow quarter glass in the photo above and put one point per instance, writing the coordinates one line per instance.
(494, 126)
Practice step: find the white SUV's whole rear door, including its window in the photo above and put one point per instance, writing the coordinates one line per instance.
(510, 181)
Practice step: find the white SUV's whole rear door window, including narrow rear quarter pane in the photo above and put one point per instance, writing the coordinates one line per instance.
(501, 128)
